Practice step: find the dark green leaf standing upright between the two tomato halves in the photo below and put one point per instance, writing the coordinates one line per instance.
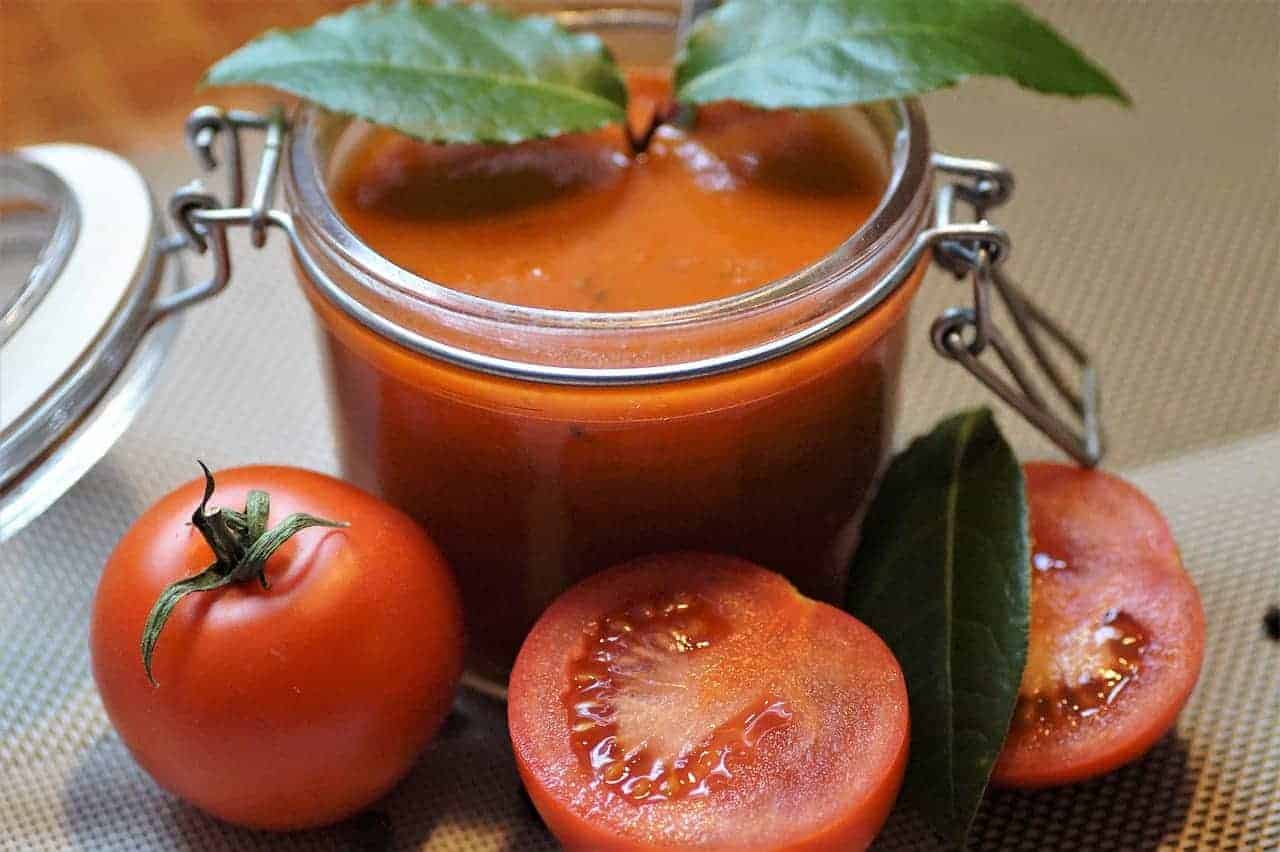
(944, 576)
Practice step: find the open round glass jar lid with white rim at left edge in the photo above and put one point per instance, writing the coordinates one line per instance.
(83, 267)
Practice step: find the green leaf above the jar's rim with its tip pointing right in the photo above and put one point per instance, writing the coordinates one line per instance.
(830, 53)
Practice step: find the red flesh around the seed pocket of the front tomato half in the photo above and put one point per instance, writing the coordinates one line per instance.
(861, 712)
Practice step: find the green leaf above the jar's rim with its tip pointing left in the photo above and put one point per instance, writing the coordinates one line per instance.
(450, 74)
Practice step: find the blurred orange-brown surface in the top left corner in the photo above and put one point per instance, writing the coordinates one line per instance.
(124, 74)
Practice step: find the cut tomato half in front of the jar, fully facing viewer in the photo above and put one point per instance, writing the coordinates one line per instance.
(701, 702)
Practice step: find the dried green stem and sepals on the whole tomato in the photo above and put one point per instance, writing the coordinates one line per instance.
(241, 544)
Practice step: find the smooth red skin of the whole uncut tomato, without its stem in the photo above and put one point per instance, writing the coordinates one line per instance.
(286, 708)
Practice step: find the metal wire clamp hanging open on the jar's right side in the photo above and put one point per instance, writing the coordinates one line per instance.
(963, 335)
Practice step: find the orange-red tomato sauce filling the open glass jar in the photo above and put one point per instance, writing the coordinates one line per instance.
(529, 487)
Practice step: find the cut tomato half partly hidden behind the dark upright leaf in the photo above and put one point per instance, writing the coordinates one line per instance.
(1117, 638)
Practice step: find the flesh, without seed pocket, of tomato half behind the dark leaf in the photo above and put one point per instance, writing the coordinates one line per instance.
(1119, 555)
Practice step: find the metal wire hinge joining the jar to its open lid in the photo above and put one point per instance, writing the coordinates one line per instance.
(203, 219)
